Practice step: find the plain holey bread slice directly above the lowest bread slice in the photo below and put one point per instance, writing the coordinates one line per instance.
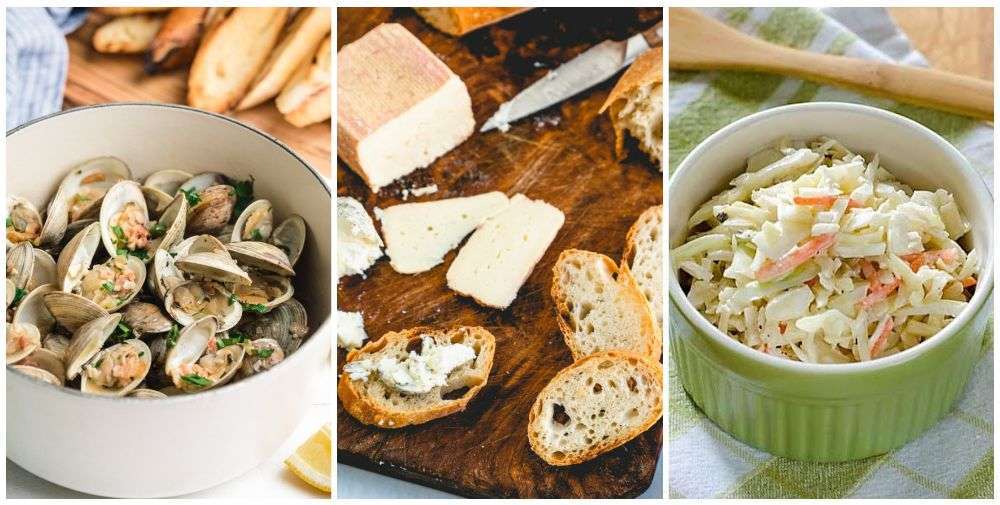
(601, 308)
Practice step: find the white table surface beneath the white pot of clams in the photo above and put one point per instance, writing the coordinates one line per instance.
(270, 479)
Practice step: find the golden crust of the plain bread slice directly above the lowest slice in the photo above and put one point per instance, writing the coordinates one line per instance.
(634, 298)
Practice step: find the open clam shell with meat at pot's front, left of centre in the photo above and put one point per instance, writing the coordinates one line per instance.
(117, 370)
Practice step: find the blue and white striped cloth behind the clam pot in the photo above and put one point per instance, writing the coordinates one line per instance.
(37, 59)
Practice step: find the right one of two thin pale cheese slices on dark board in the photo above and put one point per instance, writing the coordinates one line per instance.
(501, 254)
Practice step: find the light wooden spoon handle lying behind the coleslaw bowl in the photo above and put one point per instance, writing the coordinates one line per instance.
(698, 42)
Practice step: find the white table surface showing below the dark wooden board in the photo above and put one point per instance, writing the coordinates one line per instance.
(354, 482)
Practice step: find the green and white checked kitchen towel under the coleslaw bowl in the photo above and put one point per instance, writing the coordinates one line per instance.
(955, 458)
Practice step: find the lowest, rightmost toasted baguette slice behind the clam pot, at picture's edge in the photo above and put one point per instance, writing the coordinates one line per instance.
(306, 98)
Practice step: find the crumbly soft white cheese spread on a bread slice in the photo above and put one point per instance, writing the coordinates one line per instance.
(418, 373)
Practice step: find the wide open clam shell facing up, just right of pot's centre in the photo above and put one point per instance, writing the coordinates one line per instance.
(194, 300)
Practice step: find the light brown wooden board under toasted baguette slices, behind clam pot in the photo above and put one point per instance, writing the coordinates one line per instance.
(101, 78)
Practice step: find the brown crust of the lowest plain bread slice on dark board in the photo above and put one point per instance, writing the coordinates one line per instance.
(652, 369)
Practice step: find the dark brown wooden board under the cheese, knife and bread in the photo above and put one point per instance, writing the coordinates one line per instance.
(563, 155)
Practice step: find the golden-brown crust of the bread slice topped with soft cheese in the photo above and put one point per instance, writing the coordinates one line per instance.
(358, 405)
